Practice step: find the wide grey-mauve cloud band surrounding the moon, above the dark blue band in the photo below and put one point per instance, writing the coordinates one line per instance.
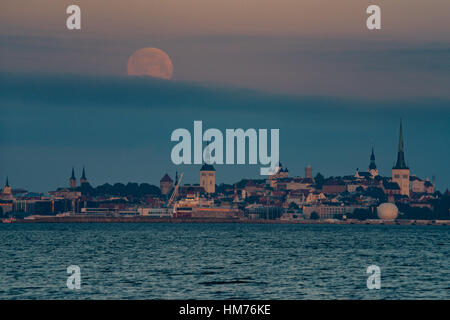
(359, 68)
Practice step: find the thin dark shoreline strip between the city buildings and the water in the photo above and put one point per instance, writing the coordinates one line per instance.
(144, 219)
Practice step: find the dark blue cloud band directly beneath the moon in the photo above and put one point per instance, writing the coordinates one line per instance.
(57, 90)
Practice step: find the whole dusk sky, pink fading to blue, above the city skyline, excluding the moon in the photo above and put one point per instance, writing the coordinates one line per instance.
(309, 68)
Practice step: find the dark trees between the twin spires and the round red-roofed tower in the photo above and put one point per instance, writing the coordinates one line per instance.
(133, 189)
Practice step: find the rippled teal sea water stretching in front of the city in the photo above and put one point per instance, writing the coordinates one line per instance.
(223, 261)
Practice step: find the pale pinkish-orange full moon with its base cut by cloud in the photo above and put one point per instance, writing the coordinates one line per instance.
(151, 62)
